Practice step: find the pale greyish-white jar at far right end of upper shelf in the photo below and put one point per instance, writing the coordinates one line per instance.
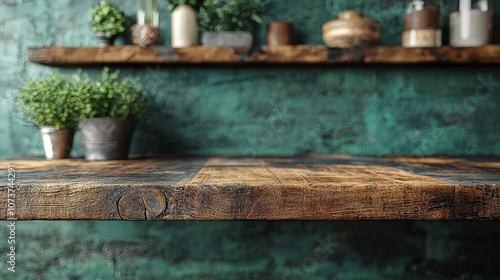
(471, 23)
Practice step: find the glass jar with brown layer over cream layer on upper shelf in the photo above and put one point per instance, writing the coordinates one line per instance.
(422, 24)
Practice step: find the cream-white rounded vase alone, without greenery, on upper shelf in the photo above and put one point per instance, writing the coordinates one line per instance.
(184, 27)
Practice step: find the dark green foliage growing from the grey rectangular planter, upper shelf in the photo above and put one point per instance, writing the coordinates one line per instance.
(231, 15)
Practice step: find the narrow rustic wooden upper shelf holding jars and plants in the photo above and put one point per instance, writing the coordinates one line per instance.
(301, 54)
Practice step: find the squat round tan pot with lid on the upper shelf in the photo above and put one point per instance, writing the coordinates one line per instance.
(352, 29)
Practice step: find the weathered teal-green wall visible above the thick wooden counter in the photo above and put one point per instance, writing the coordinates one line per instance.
(272, 110)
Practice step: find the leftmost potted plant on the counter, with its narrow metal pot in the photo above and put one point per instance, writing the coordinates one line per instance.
(48, 102)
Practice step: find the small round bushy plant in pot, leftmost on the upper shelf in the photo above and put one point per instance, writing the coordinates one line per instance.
(108, 22)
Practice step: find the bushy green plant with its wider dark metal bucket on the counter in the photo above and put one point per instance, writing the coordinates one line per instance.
(108, 109)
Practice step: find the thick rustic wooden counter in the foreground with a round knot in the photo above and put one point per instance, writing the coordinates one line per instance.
(325, 187)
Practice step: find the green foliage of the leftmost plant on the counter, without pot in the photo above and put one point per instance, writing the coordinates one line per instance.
(48, 101)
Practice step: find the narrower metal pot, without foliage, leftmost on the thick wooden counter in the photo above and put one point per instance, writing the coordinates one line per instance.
(57, 143)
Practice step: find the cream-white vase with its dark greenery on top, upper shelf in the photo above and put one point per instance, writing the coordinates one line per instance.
(184, 22)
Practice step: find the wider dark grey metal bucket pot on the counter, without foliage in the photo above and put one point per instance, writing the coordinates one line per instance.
(106, 139)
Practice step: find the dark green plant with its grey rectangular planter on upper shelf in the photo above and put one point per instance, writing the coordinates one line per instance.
(230, 22)
